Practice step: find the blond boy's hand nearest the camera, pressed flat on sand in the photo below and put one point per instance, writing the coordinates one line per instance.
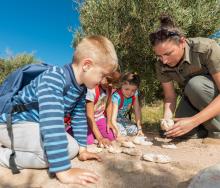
(77, 176)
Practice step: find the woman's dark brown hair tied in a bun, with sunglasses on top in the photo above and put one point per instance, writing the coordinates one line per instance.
(166, 31)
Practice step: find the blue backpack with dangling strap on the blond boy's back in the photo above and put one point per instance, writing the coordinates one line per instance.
(11, 86)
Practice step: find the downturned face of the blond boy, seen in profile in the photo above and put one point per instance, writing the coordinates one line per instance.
(94, 75)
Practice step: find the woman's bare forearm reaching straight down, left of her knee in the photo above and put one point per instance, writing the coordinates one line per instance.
(169, 99)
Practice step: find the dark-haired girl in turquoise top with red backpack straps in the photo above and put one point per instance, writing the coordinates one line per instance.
(123, 99)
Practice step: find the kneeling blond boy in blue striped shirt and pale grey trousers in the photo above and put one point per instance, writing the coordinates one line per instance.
(40, 140)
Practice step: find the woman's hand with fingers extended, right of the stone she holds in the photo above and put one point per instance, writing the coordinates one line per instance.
(181, 127)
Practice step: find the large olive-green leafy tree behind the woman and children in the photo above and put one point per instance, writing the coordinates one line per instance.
(127, 23)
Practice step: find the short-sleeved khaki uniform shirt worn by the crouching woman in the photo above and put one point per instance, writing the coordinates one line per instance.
(201, 56)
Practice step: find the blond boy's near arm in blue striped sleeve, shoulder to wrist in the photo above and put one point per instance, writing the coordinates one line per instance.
(51, 120)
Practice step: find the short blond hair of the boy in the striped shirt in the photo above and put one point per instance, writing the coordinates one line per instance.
(99, 49)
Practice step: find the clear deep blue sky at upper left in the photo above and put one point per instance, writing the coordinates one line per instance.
(39, 26)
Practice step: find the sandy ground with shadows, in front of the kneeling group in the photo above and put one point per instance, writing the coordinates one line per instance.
(124, 171)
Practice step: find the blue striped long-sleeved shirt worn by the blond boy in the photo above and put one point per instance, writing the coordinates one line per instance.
(48, 90)
